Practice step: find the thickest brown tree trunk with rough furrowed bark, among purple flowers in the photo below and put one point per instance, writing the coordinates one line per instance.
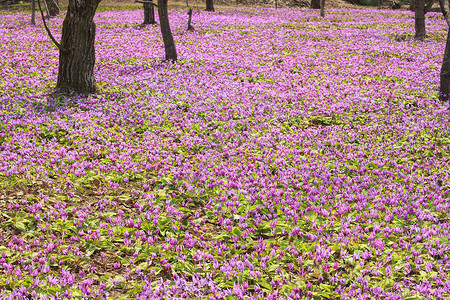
(77, 53)
